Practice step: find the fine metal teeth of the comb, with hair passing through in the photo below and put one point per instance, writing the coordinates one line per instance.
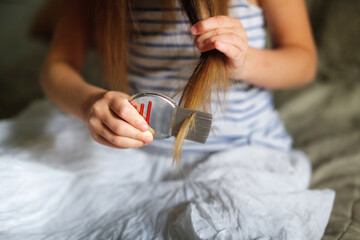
(200, 131)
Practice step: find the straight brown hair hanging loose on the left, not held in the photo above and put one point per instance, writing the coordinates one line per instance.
(112, 38)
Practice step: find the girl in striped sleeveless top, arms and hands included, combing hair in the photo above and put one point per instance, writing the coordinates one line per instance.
(161, 57)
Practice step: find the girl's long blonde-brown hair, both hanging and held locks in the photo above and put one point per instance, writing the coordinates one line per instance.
(210, 73)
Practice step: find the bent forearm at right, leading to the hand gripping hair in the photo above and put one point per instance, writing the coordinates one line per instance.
(286, 67)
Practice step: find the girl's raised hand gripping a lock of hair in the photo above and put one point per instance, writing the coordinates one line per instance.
(225, 34)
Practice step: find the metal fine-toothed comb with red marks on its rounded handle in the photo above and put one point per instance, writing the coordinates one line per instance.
(165, 117)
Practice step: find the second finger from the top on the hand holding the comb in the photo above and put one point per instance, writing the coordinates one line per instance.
(124, 129)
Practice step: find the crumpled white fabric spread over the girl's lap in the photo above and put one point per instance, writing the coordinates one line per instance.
(57, 183)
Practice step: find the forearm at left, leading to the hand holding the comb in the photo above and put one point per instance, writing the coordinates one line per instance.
(66, 88)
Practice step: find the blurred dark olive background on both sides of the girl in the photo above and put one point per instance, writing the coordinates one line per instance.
(323, 118)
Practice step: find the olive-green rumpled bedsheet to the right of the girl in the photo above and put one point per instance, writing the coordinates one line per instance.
(324, 119)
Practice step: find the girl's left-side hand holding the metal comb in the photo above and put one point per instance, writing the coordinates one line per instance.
(114, 122)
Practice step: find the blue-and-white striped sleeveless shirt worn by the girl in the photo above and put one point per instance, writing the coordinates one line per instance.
(162, 57)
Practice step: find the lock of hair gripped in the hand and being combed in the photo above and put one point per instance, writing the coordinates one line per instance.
(210, 73)
